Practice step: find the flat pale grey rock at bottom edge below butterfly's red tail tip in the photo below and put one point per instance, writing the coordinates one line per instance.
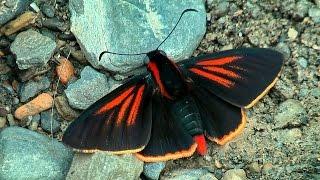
(190, 174)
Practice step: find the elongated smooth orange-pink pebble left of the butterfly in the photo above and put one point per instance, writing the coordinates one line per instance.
(37, 105)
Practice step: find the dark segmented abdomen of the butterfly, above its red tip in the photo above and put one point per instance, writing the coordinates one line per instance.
(187, 113)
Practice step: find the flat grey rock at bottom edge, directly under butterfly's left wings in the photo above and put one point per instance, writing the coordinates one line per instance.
(102, 165)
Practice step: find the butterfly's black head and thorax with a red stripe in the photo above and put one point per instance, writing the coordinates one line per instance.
(166, 75)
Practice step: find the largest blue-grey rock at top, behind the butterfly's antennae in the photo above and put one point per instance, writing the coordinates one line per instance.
(133, 27)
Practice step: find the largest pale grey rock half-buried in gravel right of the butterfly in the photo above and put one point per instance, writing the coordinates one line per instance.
(290, 113)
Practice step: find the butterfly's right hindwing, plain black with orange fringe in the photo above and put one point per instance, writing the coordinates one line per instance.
(221, 120)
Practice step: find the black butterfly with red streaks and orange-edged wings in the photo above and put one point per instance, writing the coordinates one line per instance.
(169, 111)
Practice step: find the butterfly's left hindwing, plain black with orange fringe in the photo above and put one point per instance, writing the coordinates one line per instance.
(168, 139)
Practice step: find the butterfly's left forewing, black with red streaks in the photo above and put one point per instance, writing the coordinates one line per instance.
(120, 122)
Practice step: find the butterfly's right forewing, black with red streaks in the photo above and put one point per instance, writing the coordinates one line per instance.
(239, 76)
